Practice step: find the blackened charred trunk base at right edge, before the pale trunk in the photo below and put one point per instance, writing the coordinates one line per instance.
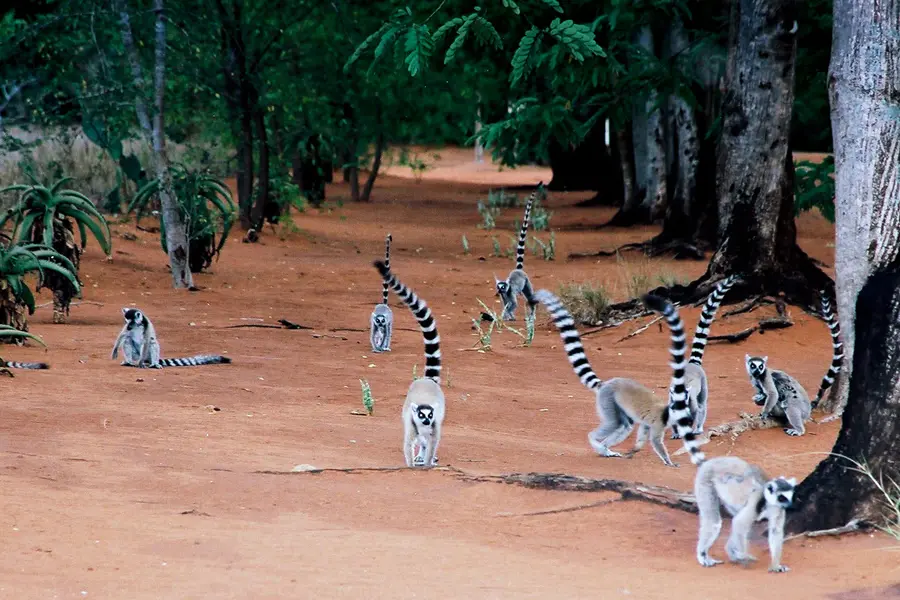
(834, 494)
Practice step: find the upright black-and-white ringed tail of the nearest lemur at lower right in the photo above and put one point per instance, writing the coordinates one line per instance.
(679, 410)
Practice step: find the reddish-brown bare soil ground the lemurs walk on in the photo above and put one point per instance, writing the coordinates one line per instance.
(125, 483)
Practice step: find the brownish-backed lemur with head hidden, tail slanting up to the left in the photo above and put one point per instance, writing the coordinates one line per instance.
(620, 402)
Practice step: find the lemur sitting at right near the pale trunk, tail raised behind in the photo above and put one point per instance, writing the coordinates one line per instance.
(782, 396)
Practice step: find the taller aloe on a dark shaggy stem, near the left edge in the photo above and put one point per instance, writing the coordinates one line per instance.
(48, 216)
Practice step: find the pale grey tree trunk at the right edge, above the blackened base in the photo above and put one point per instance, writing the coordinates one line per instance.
(864, 90)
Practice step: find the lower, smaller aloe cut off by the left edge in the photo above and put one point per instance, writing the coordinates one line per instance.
(16, 262)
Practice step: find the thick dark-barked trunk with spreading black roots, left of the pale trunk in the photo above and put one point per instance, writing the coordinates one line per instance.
(757, 236)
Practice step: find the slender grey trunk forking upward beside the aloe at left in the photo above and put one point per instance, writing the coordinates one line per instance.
(176, 233)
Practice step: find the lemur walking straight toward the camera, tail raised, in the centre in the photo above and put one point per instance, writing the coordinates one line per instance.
(424, 407)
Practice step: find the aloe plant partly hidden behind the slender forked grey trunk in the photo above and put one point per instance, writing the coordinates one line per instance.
(202, 201)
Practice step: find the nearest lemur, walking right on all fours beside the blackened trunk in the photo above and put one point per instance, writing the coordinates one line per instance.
(730, 482)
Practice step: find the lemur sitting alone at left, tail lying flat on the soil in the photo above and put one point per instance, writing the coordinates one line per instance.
(140, 346)
